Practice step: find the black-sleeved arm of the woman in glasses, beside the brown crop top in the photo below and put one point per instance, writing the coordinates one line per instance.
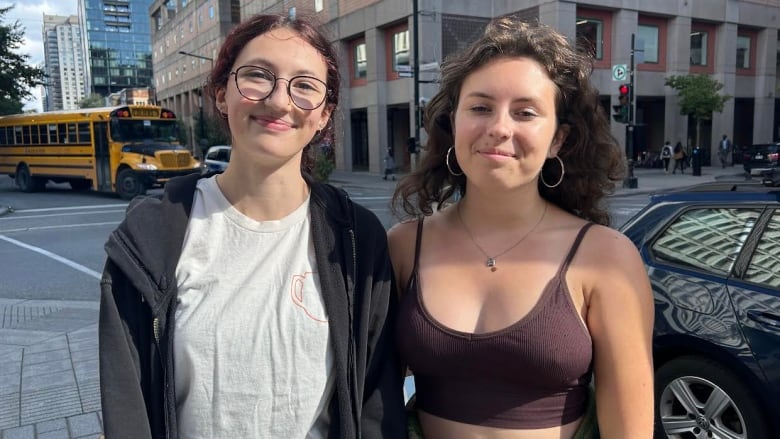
(383, 414)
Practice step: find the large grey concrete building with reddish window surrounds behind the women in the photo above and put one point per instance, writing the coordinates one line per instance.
(733, 41)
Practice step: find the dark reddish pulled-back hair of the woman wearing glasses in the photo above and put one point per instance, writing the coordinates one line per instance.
(308, 30)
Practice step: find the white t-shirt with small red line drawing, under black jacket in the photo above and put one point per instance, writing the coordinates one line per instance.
(252, 357)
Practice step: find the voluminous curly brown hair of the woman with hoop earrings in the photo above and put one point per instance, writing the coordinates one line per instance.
(591, 155)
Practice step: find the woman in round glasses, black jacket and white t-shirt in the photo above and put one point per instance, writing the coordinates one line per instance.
(256, 303)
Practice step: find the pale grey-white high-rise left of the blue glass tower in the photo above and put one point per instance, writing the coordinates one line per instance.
(64, 62)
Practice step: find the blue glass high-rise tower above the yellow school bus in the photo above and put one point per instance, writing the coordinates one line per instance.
(117, 44)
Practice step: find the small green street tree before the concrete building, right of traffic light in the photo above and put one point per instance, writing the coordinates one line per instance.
(699, 97)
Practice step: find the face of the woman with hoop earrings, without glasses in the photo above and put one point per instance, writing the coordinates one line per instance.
(505, 123)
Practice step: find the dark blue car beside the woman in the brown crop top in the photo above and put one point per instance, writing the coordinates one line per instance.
(711, 253)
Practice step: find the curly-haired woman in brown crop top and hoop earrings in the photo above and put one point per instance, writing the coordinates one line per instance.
(519, 297)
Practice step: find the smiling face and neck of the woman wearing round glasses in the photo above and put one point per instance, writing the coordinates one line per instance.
(273, 131)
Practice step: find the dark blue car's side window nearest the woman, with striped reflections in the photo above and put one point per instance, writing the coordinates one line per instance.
(708, 239)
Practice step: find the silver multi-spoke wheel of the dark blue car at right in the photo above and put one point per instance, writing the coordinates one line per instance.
(698, 398)
